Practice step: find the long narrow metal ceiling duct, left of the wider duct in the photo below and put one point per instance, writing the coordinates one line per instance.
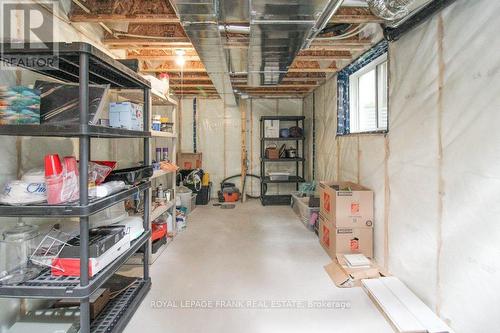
(200, 21)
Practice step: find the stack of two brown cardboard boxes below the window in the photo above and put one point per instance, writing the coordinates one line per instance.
(346, 218)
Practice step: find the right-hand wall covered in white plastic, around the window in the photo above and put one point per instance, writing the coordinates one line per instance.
(435, 173)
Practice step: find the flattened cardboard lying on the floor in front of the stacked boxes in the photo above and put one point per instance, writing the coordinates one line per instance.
(346, 277)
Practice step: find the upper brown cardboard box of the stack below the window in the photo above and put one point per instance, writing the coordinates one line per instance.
(346, 204)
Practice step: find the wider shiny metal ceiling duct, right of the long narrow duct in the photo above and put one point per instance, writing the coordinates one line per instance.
(278, 31)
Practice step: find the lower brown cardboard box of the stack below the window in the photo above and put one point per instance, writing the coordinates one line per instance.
(345, 240)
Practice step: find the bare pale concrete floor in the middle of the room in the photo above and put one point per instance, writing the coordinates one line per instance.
(251, 253)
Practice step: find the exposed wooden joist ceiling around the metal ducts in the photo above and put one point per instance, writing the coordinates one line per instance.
(158, 20)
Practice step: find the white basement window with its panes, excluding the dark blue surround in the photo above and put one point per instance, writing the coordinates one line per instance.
(368, 97)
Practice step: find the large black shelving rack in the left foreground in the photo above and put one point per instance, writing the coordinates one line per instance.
(84, 64)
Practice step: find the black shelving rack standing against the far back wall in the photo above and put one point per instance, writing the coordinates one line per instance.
(281, 199)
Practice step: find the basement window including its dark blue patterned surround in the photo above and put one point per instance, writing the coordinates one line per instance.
(362, 90)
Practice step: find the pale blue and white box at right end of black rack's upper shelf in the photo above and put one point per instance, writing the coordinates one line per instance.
(126, 115)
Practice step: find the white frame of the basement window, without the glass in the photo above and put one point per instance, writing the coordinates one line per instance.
(354, 96)
